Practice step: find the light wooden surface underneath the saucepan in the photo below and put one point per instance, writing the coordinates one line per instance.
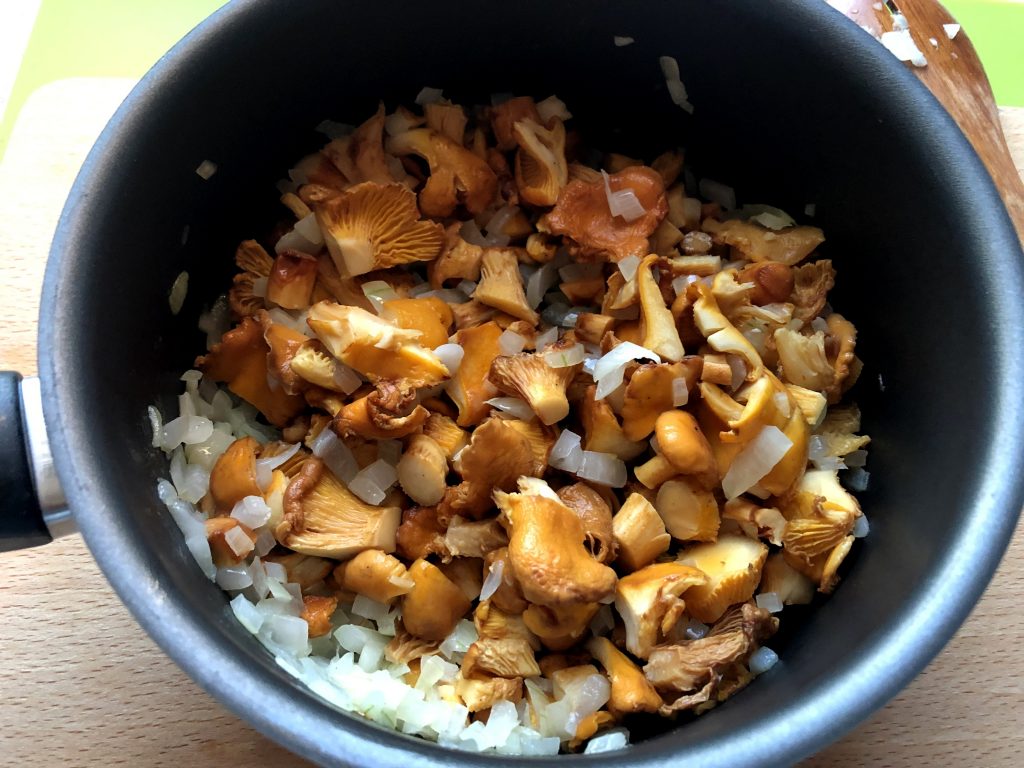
(82, 686)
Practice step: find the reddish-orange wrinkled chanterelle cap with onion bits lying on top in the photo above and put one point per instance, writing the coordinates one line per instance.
(582, 214)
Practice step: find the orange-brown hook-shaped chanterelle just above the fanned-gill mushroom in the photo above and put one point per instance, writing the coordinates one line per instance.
(457, 176)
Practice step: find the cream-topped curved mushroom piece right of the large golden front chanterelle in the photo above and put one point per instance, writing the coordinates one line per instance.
(734, 569)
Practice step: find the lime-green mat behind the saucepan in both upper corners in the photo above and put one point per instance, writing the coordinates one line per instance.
(123, 38)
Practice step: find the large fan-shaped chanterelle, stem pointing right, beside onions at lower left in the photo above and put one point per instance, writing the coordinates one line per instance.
(322, 518)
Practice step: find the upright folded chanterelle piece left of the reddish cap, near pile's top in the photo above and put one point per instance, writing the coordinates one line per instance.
(541, 170)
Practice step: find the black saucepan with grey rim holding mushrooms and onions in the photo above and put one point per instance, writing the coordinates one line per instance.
(794, 105)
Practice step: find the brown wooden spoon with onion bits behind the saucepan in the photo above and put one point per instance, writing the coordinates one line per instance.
(957, 78)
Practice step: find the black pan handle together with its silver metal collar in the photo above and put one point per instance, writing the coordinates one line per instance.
(33, 509)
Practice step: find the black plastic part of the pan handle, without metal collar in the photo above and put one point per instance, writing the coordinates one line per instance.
(21, 519)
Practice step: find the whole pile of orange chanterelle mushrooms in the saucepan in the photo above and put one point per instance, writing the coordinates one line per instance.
(575, 405)
